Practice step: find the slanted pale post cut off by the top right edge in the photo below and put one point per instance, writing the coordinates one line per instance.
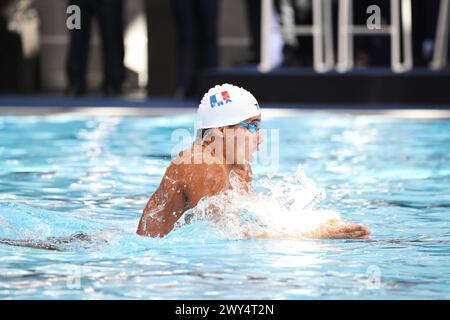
(441, 42)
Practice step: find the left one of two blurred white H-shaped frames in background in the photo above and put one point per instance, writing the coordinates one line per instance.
(320, 30)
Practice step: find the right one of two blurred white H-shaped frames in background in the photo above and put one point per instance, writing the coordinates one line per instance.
(401, 25)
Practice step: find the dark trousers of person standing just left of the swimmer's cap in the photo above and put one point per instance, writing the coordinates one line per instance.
(196, 26)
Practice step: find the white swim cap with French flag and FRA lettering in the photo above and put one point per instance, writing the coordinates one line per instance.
(226, 105)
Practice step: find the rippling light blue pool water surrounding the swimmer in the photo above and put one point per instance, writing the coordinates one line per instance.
(60, 175)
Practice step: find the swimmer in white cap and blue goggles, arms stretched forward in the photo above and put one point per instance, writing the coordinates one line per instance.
(226, 113)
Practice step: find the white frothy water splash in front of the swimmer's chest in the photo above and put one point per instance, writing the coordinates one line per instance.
(283, 204)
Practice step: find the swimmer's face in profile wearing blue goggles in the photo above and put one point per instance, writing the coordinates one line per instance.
(245, 140)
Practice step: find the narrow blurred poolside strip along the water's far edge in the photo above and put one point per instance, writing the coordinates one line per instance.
(45, 105)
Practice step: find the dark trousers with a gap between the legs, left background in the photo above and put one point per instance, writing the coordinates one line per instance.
(109, 14)
